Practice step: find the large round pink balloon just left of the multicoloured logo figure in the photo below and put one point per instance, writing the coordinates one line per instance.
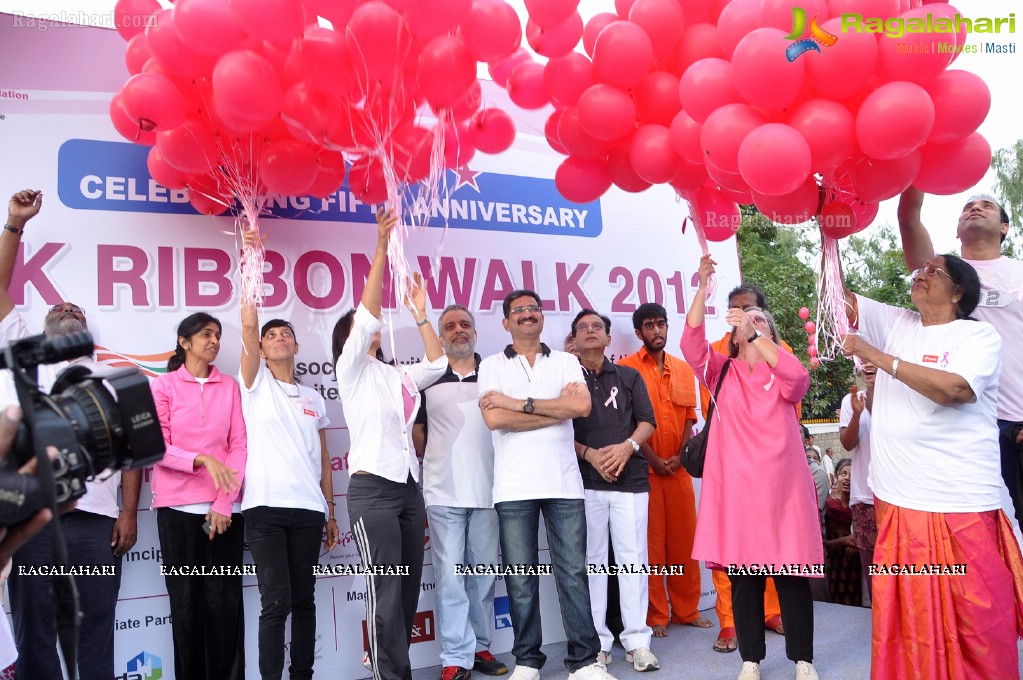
(762, 72)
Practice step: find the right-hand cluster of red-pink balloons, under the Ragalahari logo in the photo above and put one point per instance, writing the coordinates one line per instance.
(701, 95)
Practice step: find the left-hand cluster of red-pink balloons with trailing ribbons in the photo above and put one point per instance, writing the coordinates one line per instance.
(250, 98)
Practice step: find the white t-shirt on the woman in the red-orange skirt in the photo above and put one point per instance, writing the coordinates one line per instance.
(925, 457)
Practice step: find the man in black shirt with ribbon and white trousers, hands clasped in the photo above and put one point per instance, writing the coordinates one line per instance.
(616, 486)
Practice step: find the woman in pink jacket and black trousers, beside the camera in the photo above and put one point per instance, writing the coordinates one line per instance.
(196, 488)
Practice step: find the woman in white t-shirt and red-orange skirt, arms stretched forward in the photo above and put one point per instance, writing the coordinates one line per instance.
(936, 473)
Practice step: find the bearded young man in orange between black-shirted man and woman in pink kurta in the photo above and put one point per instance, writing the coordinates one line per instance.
(673, 520)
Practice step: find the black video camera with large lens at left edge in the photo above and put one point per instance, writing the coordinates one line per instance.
(98, 422)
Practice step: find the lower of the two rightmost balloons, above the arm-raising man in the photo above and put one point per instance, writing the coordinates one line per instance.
(953, 167)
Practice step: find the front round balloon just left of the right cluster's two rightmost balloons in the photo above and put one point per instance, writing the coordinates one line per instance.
(895, 121)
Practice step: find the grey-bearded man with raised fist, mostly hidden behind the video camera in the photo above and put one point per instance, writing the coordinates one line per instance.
(97, 533)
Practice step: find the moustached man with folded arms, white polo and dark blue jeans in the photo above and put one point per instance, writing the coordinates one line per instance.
(529, 394)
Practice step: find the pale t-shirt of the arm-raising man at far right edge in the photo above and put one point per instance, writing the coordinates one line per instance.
(1002, 306)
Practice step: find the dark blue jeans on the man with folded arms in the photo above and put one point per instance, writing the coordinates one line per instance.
(566, 524)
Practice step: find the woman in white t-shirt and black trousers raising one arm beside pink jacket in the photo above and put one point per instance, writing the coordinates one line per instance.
(289, 501)
